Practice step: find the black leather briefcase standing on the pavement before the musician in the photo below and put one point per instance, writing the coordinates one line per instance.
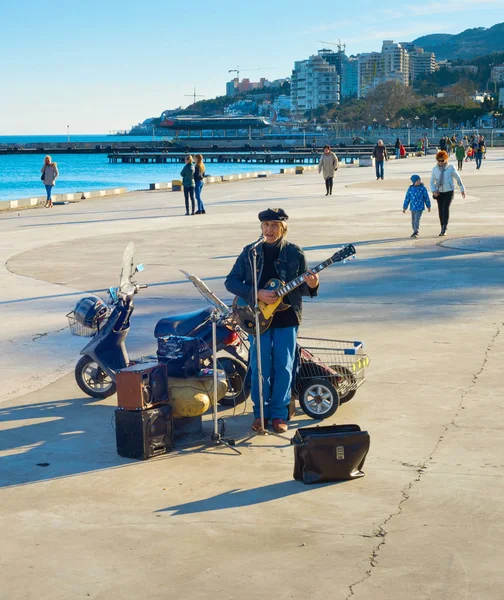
(329, 453)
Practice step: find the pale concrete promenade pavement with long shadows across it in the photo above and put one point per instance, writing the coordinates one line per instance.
(426, 522)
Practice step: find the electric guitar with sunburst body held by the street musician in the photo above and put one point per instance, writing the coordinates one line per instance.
(244, 314)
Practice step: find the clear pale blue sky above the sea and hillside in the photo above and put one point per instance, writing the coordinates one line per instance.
(106, 65)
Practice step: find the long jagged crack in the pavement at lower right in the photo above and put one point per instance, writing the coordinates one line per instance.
(381, 531)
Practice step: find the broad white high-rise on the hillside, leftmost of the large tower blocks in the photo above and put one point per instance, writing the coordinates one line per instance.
(314, 82)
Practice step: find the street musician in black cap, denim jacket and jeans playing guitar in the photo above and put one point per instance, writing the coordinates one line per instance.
(276, 258)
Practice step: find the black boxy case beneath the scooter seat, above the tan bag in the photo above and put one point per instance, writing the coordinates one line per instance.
(180, 355)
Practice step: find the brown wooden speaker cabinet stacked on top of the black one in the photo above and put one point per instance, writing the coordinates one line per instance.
(142, 386)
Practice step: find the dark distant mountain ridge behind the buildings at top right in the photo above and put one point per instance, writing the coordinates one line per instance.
(466, 45)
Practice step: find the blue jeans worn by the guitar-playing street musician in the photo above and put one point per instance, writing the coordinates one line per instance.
(278, 353)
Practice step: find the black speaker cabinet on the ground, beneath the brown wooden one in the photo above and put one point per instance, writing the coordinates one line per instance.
(143, 434)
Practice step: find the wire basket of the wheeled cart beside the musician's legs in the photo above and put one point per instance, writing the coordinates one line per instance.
(342, 363)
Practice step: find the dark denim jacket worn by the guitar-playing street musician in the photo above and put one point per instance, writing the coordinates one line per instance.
(291, 262)
